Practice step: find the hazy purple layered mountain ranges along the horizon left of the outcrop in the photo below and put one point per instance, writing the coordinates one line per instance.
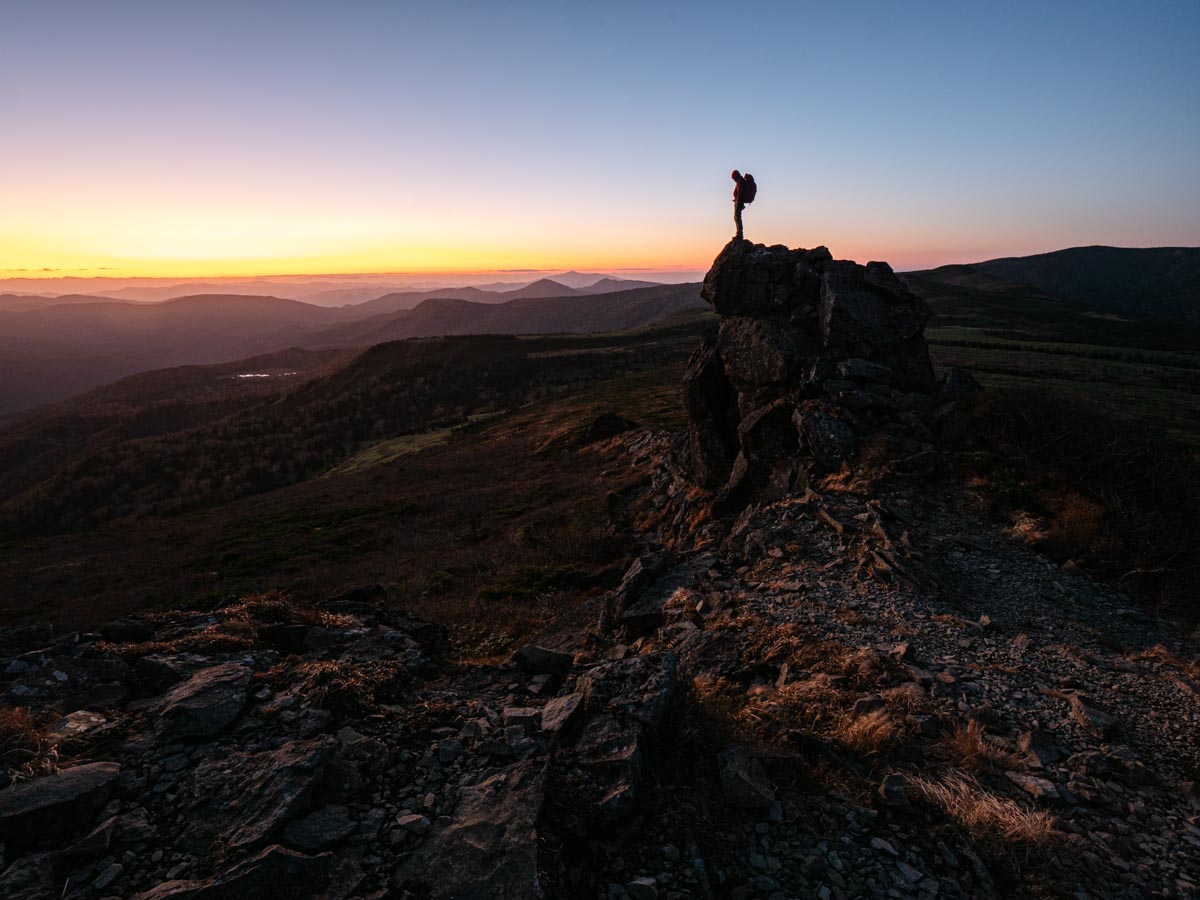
(55, 347)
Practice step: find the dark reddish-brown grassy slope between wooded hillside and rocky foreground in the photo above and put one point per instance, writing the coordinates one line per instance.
(441, 520)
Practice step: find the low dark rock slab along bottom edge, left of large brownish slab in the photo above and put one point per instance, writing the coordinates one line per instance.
(274, 874)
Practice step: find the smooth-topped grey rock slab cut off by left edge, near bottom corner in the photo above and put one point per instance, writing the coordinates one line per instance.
(56, 805)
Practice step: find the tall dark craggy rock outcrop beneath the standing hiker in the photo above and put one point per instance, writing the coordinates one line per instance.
(814, 358)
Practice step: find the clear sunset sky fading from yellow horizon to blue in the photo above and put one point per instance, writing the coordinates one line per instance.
(235, 139)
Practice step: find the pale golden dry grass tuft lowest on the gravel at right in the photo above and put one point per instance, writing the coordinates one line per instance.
(992, 821)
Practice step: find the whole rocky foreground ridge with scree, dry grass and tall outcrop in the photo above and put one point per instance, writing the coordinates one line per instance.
(826, 674)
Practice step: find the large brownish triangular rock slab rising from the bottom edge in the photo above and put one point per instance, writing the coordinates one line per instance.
(490, 850)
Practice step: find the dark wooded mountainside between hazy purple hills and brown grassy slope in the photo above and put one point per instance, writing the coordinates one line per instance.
(166, 442)
